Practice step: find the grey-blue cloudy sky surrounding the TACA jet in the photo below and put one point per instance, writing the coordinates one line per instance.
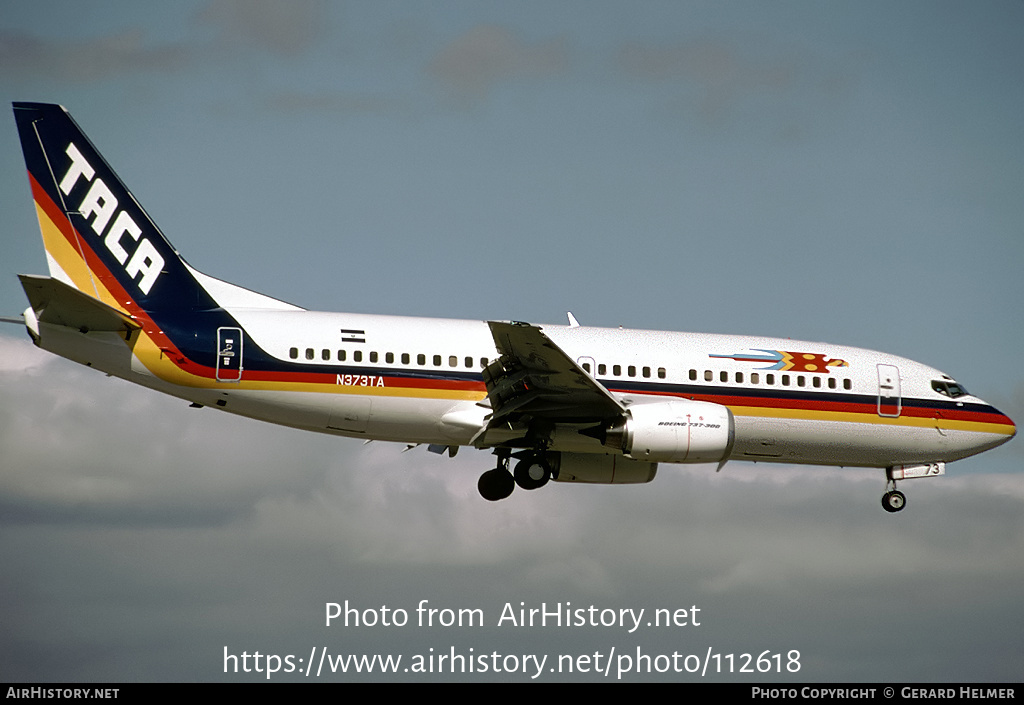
(829, 172)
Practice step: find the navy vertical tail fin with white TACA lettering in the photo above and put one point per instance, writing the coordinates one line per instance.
(99, 239)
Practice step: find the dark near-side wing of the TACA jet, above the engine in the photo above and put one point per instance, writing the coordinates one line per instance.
(535, 381)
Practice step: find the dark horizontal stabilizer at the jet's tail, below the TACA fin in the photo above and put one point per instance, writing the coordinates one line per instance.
(58, 304)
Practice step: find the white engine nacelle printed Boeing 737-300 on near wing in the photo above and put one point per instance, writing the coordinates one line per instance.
(682, 432)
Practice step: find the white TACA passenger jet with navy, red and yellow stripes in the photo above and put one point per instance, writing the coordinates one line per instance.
(569, 403)
